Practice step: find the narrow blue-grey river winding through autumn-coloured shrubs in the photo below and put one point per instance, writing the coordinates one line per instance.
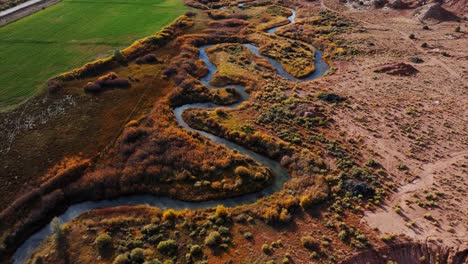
(280, 174)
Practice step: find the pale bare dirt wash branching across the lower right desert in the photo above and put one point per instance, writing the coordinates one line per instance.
(388, 220)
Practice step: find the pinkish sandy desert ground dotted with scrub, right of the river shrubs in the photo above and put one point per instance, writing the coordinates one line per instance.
(415, 126)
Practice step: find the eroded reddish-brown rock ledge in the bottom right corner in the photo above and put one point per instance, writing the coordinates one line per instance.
(410, 253)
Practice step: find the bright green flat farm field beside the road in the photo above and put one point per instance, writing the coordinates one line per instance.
(70, 33)
